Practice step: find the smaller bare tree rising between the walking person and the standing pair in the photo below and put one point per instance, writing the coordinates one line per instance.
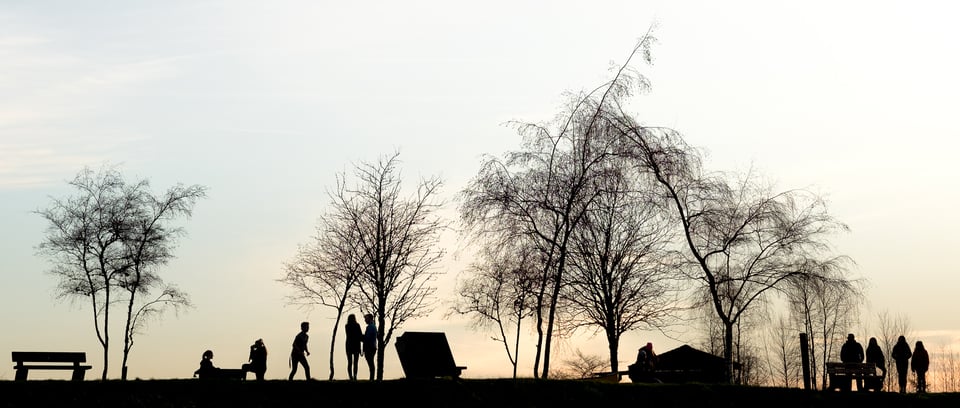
(325, 271)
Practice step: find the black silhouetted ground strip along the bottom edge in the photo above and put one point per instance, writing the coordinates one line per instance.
(494, 393)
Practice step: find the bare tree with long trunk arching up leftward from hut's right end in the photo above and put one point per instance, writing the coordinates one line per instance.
(744, 240)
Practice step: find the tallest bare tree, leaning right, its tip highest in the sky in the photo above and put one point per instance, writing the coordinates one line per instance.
(544, 190)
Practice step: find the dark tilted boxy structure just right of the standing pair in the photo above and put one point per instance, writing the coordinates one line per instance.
(426, 355)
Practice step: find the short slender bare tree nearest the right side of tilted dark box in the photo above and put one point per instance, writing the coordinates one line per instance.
(498, 292)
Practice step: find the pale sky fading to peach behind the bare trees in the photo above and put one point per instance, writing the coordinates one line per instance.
(265, 102)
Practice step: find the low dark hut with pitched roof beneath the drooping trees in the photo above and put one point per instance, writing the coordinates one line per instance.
(685, 364)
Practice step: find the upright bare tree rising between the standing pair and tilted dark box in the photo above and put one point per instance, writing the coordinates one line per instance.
(396, 241)
